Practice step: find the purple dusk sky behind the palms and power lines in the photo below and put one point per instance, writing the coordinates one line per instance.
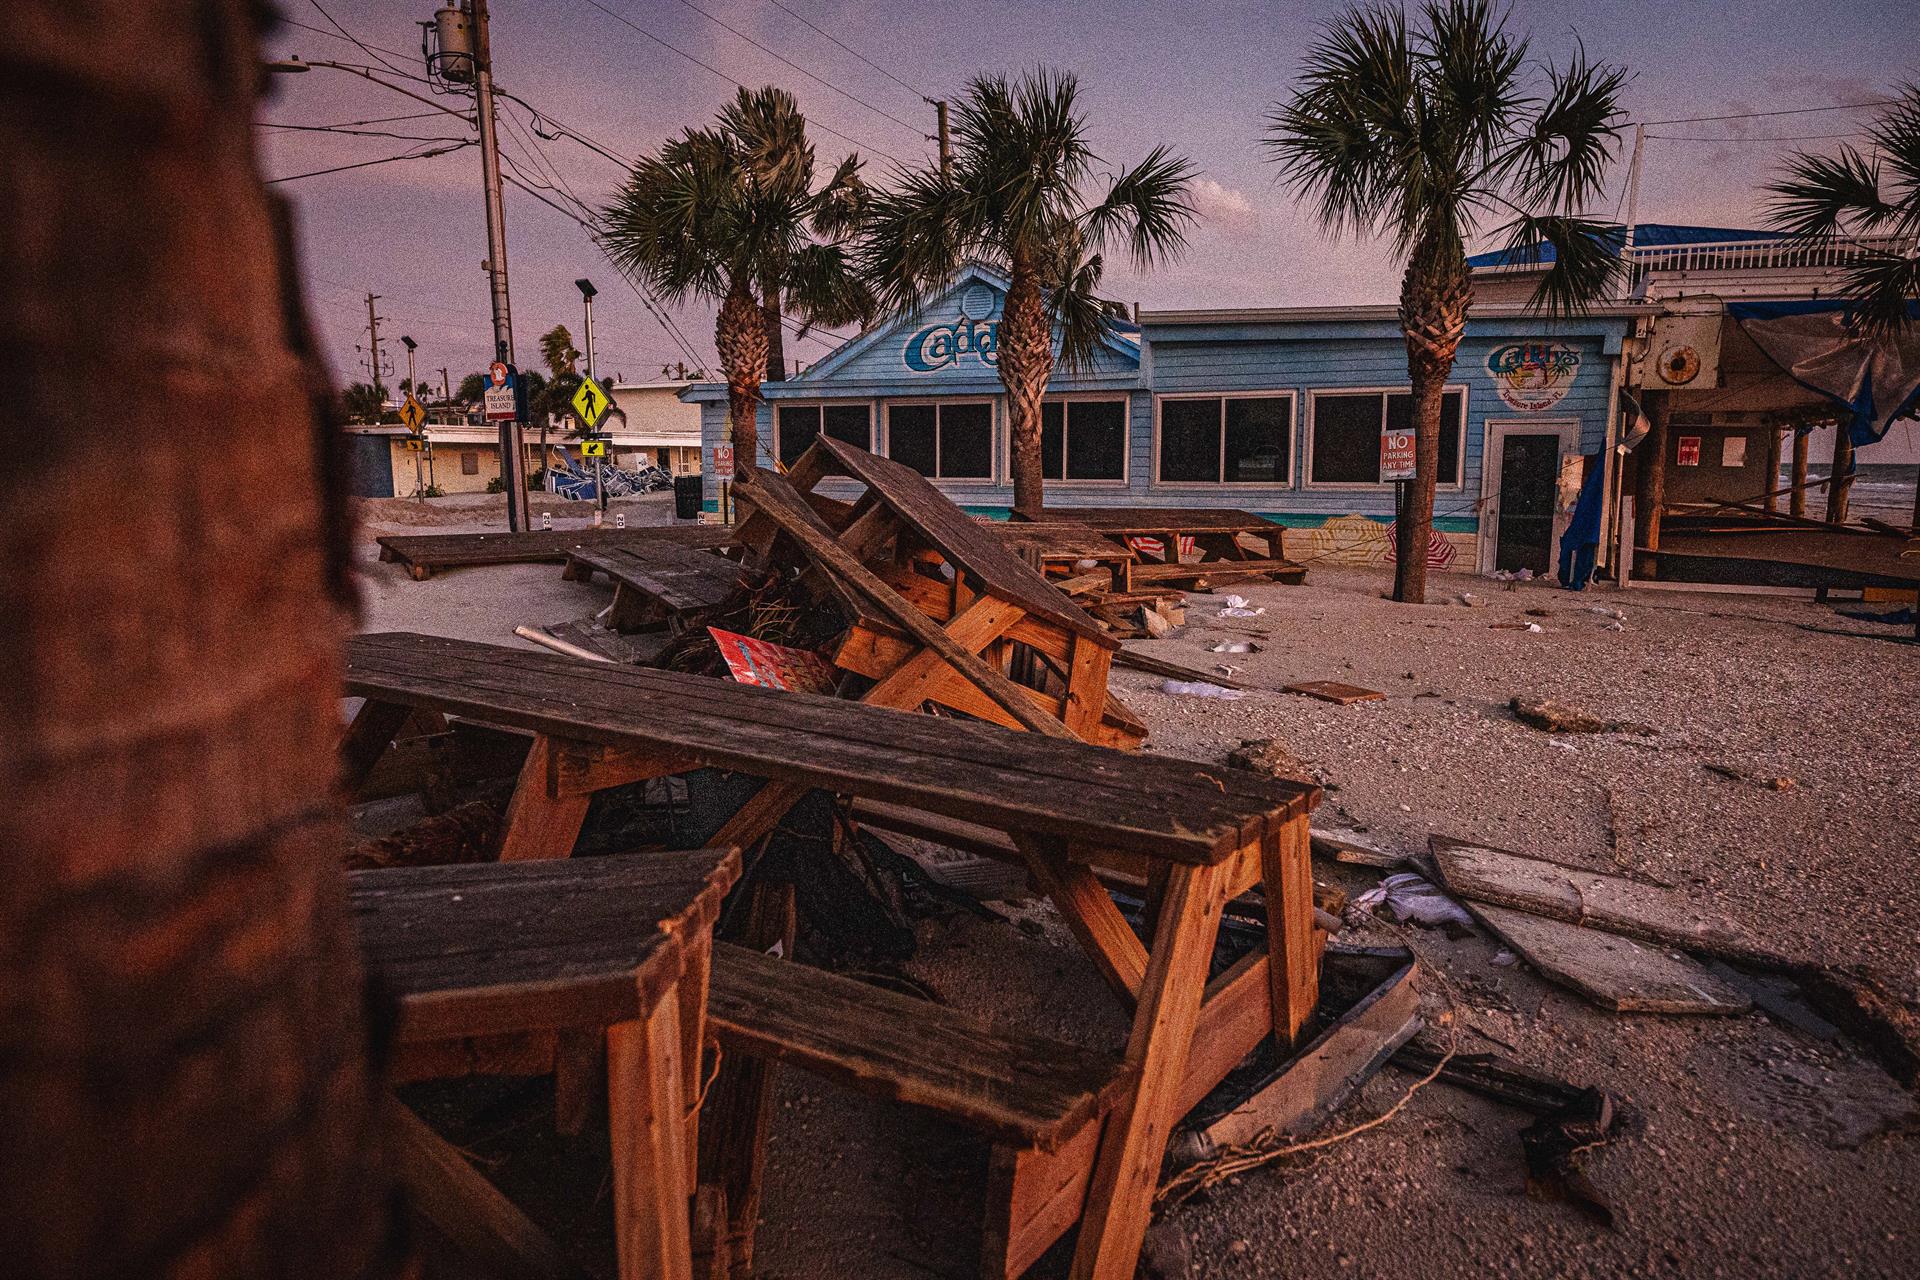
(1193, 76)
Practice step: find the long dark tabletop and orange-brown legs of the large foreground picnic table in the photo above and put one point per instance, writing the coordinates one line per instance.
(1197, 836)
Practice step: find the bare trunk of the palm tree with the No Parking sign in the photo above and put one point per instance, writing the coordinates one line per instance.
(1433, 314)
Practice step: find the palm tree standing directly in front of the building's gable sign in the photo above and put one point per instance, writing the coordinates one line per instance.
(1015, 199)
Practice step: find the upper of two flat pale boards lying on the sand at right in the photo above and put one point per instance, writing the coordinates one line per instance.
(1581, 897)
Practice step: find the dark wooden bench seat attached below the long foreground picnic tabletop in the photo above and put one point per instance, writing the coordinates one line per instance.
(1005, 1083)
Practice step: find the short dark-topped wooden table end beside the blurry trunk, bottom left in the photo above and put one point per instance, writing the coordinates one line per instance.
(565, 953)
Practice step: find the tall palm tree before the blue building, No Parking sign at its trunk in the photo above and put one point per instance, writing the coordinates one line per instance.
(1424, 137)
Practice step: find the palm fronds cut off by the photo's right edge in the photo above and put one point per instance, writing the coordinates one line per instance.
(1827, 199)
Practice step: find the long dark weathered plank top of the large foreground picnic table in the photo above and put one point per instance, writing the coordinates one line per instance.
(1024, 782)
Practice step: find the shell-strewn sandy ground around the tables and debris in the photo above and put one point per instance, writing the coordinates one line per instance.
(1758, 1150)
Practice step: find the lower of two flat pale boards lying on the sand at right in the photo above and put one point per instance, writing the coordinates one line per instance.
(1612, 972)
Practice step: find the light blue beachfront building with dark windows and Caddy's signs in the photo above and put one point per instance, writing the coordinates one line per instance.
(1276, 412)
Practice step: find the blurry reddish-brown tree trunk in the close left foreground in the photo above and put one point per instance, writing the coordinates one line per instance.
(183, 1062)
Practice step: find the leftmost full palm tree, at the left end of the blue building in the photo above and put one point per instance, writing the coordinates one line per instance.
(732, 214)
